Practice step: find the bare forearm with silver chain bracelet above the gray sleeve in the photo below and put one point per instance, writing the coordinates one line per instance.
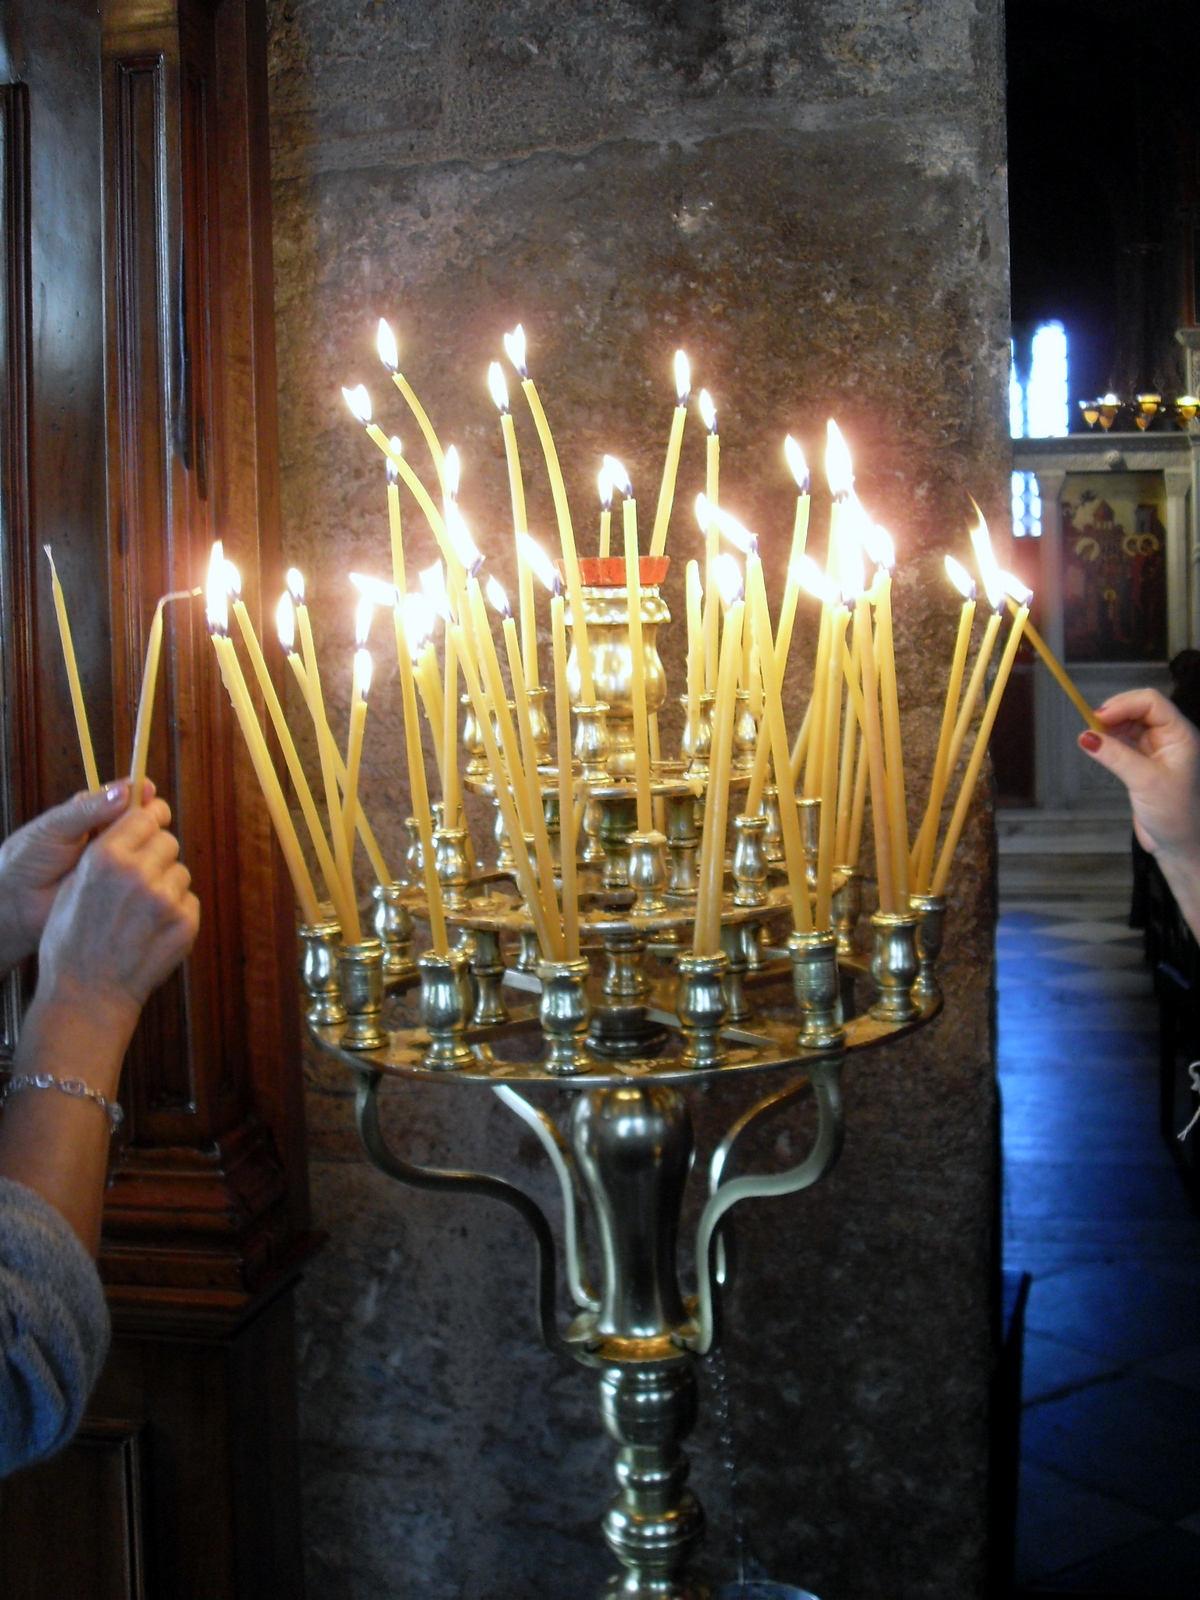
(55, 1143)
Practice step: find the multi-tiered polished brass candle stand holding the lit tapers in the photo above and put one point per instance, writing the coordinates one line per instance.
(623, 1034)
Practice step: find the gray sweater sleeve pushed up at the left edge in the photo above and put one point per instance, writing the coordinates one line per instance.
(54, 1329)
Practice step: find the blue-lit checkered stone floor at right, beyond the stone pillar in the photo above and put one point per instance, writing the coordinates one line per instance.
(1095, 1212)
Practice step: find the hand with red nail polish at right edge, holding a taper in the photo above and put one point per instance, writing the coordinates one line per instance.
(1156, 753)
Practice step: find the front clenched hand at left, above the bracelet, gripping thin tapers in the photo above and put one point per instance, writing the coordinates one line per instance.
(121, 924)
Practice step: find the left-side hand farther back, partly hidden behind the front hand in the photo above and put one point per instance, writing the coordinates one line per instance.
(38, 858)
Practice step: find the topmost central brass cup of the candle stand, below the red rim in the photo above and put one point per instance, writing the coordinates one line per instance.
(612, 655)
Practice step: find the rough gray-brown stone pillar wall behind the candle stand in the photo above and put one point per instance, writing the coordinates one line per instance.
(810, 199)
